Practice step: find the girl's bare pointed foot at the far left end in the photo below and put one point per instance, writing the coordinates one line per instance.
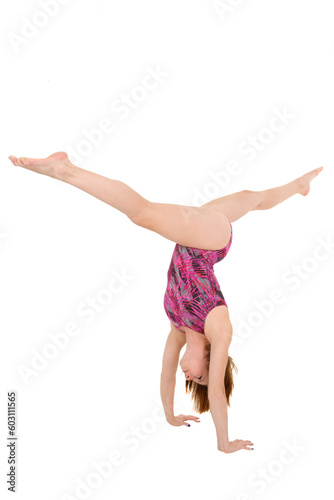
(55, 165)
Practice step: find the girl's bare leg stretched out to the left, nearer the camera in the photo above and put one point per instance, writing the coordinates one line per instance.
(190, 226)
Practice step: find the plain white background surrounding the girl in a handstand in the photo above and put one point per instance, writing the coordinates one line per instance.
(225, 74)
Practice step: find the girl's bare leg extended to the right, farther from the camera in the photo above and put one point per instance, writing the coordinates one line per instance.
(236, 205)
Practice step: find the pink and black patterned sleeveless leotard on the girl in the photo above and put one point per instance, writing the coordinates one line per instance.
(192, 287)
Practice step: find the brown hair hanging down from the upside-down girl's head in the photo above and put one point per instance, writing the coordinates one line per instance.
(199, 393)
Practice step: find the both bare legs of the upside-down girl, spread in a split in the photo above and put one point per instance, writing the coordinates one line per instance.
(204, 227)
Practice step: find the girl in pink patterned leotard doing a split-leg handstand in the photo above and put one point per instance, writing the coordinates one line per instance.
(193, 300)
